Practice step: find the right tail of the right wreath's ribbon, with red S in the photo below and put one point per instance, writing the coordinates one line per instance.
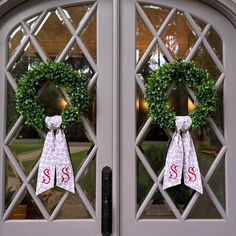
(192, 175)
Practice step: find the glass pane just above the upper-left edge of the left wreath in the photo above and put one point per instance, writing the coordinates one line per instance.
(29, 56)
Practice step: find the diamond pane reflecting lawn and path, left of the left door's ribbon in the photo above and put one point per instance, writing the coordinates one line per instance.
(26, 147)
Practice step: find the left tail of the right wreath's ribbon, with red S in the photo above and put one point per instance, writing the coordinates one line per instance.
(174, 162)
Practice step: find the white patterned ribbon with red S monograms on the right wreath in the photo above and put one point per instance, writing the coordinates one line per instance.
(182, 158)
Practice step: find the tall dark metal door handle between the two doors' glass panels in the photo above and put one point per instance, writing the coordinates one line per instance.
(106, 201)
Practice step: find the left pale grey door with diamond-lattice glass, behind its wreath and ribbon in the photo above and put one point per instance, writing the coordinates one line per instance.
(65, 31)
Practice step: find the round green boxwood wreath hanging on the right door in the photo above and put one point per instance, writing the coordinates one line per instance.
(195, 78)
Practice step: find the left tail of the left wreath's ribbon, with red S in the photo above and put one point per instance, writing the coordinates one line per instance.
(46, 171)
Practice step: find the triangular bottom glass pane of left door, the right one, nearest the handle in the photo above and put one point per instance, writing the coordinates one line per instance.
(73, 208)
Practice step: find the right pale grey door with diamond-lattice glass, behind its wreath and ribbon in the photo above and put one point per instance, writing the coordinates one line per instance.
(153, 33)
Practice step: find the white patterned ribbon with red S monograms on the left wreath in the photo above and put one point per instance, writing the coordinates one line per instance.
(55, 160)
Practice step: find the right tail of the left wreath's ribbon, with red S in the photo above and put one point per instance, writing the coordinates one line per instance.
(64, 170)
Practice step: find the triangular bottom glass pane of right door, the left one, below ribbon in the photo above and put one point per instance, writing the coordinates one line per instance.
(158, 208)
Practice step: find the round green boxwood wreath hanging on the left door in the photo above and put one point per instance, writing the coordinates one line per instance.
(75, 85)
